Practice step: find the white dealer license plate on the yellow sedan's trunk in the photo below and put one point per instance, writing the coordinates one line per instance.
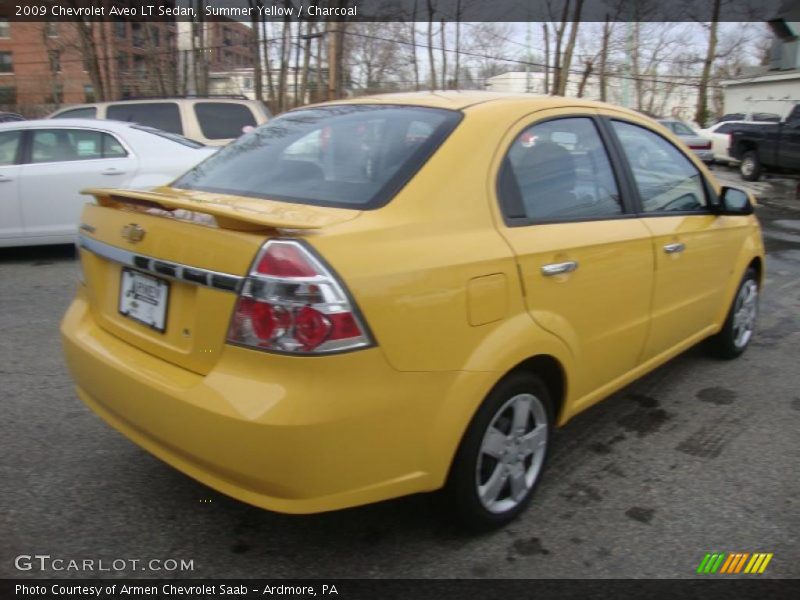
(144, 299)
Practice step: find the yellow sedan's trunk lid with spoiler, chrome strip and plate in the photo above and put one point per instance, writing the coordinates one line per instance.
(178, 257)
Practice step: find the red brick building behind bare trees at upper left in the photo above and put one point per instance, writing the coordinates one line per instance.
(46, 65)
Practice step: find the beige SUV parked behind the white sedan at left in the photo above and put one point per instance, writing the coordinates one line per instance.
(210, 121)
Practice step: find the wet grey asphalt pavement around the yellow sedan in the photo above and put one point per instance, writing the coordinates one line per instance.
(698, 456)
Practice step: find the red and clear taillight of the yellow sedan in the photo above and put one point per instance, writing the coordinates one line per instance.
(290, 302)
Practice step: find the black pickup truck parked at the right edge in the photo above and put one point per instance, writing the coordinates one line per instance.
(767, 147)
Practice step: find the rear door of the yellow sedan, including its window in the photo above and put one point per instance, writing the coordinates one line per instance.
(585, 260)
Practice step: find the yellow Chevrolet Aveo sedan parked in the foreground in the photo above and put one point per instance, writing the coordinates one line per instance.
(401, 294)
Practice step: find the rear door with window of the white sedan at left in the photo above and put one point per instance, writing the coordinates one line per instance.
(59, 163)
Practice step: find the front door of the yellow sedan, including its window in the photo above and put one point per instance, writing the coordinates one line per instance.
(694, 248)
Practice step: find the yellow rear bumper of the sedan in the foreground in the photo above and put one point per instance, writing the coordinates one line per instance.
(290, 434)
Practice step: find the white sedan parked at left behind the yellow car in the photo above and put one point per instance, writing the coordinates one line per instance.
(44, 164)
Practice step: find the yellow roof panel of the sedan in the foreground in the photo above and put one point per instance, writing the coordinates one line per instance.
(460, 100)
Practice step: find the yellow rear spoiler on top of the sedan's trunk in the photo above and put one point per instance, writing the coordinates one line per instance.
(229, 212)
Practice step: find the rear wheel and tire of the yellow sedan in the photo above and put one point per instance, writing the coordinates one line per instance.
(501, 458)
